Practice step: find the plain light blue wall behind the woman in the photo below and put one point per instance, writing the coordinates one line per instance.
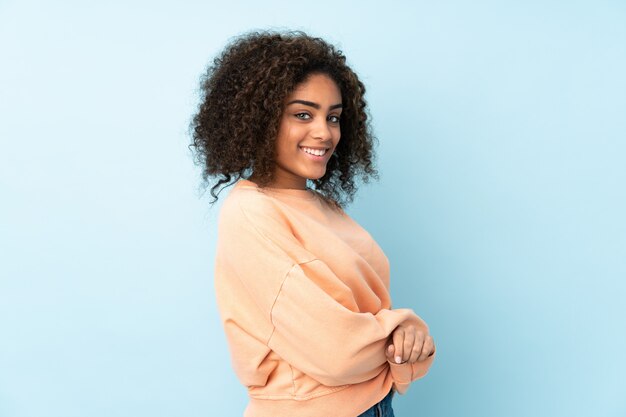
(501, 204)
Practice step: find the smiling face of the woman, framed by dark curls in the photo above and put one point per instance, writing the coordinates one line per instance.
(308, 133)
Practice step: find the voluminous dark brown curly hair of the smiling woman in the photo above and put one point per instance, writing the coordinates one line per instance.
(243, 91)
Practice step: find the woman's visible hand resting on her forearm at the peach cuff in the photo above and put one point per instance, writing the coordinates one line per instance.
(409, 344)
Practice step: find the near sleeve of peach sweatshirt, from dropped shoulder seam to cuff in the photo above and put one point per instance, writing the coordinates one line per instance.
(323, 338)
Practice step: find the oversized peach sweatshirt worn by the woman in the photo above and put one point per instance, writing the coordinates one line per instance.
(303, 294)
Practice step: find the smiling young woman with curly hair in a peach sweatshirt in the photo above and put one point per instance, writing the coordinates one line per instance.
(302, 289)
